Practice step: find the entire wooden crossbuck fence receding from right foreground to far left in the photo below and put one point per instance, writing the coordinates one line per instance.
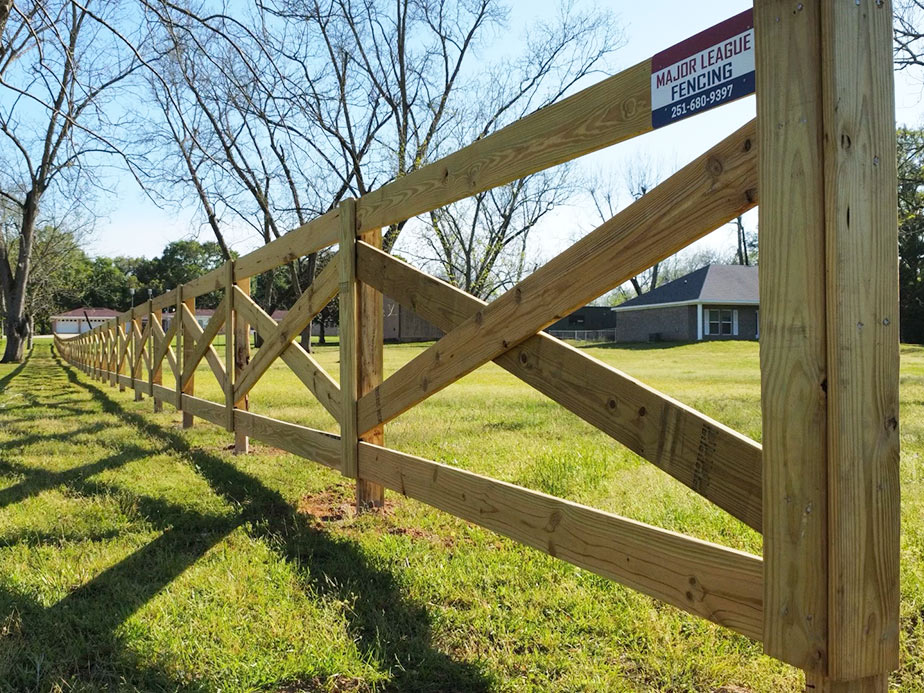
(824, 488)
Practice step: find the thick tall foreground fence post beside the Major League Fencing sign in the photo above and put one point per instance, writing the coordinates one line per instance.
(829, 341)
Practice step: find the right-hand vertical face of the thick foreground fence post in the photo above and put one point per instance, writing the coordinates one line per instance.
(863, 353)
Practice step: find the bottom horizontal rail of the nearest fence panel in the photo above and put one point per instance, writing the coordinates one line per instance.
(717, 583)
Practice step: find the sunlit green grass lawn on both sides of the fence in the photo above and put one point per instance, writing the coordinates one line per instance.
(138, 556)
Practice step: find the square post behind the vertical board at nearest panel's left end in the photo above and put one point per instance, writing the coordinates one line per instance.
(370, 335)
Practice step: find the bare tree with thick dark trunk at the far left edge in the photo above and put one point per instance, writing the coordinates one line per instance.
(59, 64)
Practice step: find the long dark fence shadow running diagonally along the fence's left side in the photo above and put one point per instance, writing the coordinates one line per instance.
(389, 628)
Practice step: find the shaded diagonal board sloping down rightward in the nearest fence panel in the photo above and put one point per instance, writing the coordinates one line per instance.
(713, 460)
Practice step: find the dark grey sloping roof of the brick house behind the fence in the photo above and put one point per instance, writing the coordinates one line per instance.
(709, 284)
